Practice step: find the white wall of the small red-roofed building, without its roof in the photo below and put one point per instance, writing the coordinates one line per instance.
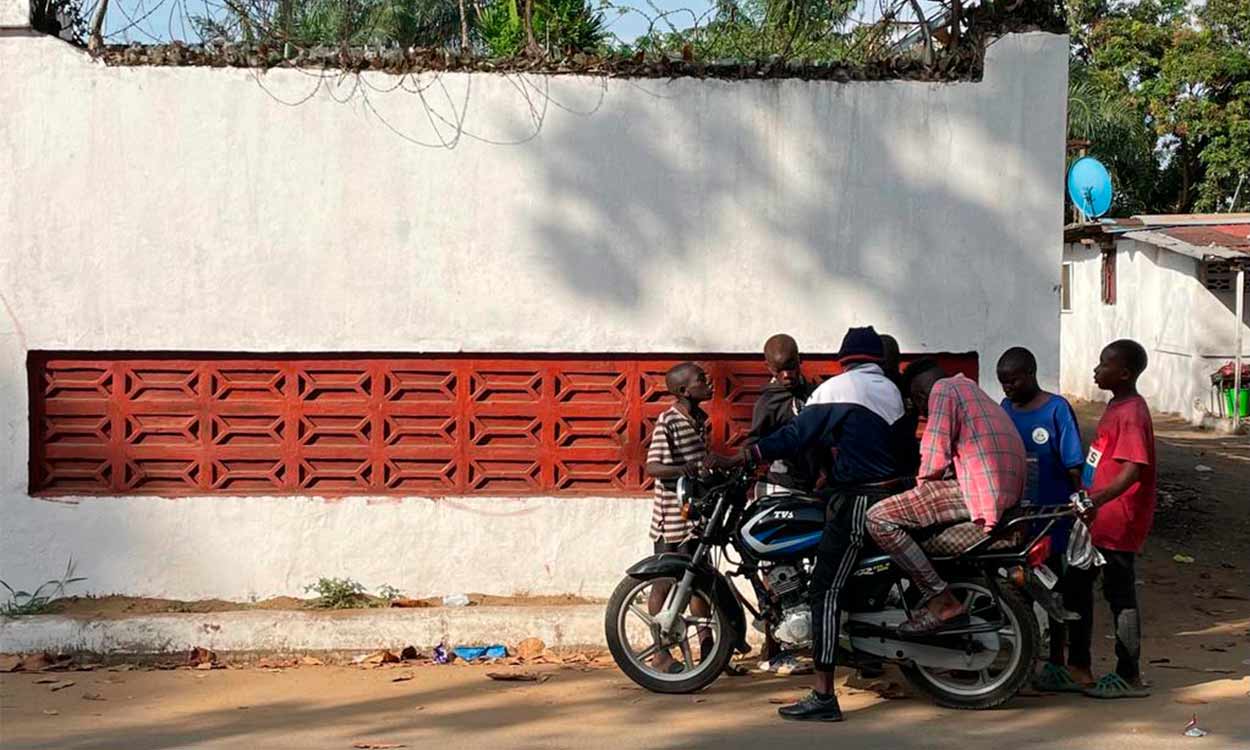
(1161, 303)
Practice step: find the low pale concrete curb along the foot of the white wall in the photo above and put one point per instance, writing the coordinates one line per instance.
(284, 632)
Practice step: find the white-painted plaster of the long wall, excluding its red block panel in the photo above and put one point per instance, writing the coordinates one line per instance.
(192, 209)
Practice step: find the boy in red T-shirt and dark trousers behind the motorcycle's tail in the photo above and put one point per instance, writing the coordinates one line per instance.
(1121, 478)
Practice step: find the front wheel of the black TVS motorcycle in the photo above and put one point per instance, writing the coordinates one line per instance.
(628, 621)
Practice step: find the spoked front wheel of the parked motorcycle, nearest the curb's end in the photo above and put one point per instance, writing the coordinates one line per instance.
(687, 662)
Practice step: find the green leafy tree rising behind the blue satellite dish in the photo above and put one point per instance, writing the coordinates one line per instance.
(1163, 93)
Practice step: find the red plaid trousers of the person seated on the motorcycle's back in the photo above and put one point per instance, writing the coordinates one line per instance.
(892, 522)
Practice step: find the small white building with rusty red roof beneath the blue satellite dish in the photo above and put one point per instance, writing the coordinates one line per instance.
(1169, 283)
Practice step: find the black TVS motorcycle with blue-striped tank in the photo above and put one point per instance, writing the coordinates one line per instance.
(674, 622)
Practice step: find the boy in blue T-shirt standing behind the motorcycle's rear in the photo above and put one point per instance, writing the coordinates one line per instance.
(1048, 427)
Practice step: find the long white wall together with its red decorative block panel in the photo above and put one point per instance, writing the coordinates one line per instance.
(258, 329)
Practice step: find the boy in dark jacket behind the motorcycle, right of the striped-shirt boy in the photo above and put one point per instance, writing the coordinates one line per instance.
(781, 402)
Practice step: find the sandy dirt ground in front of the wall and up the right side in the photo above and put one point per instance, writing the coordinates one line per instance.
(1197, 649)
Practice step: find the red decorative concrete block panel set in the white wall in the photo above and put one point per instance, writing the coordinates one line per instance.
(196, 424)
